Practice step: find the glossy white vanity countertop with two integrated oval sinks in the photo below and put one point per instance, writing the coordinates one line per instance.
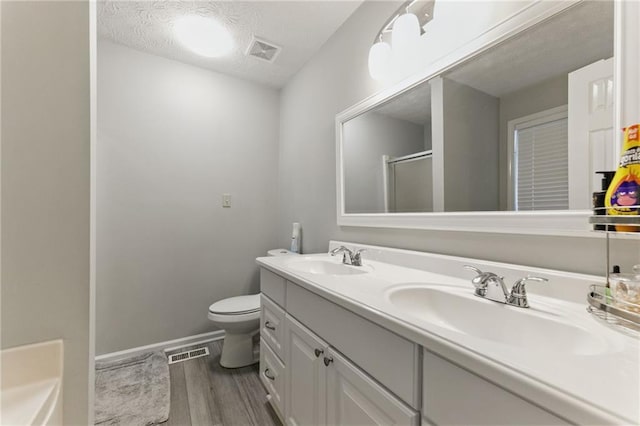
(553, 353)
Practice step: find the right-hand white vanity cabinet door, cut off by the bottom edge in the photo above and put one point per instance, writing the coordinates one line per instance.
(354, 398)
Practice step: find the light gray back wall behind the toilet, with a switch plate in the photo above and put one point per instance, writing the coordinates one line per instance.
(172, 139)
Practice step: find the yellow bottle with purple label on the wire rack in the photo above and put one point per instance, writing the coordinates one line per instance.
(624, 190)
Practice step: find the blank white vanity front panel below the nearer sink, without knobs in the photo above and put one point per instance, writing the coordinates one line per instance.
(447, 388)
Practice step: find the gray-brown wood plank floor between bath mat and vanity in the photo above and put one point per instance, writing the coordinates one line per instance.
(203, 393)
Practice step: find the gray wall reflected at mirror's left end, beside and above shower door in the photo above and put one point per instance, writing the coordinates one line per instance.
(366, 139)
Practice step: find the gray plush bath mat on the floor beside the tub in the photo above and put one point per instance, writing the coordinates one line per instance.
(133, 391)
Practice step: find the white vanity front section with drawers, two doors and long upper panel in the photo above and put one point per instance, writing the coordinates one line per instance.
(314, 382)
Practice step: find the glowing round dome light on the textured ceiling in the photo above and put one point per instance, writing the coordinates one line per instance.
(203, 36)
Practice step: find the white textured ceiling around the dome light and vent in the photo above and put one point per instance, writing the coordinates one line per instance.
(299, 27)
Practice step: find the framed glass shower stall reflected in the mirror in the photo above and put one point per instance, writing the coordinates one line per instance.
(408, 183)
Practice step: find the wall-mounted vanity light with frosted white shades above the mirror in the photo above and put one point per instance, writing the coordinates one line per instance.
(405, 27)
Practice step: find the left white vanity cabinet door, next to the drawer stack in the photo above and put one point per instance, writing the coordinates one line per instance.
(305, 391)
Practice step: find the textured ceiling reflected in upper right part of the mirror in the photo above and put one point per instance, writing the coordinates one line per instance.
(564, 43)
